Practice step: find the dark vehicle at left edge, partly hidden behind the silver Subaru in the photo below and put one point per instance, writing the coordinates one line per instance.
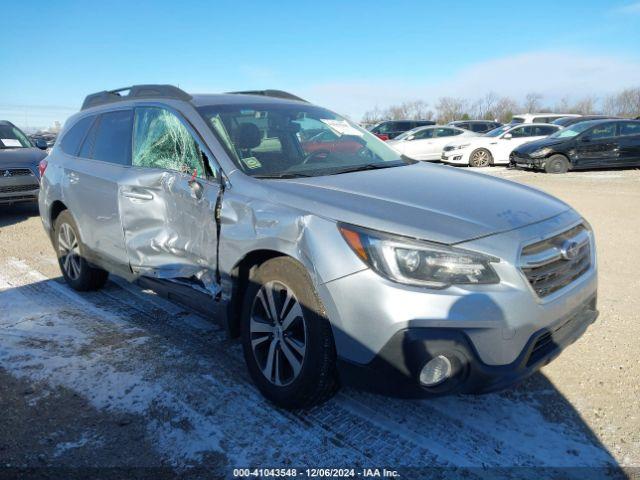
(19, 159)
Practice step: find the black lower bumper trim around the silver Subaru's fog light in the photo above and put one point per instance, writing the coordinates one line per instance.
(396, 369)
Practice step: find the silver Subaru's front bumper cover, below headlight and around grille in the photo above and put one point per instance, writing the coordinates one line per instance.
(492, 326)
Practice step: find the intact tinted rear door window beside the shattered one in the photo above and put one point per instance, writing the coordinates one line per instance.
(113, 139)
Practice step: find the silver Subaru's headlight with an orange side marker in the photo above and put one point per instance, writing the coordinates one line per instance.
(415, 262)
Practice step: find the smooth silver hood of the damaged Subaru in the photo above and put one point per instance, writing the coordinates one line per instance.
(432, 202)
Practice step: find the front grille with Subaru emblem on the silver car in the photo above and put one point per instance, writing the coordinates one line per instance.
(554, 263)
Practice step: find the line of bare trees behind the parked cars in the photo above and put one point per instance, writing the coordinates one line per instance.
(492, 106)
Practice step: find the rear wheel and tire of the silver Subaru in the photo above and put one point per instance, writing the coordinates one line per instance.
(71, 256)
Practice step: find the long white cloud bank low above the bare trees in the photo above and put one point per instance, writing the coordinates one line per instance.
(552, 74)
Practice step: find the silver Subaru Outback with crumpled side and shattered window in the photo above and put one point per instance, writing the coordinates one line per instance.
(335, 259)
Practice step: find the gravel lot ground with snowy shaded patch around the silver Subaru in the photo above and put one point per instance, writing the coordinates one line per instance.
(123, 378)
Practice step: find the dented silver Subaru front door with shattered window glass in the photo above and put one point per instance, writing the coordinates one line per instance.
(167, 203)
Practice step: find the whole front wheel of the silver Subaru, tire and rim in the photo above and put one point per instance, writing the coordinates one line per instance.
(287, 340)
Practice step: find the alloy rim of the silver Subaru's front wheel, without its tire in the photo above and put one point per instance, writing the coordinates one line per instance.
(278, 333)
